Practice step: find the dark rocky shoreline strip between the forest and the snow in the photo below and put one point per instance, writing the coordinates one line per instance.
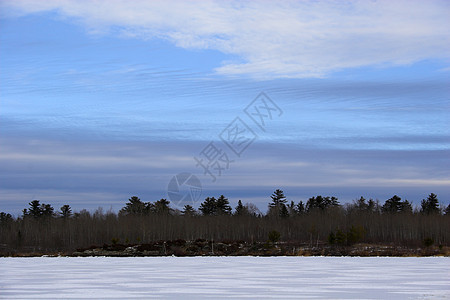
(203, 248)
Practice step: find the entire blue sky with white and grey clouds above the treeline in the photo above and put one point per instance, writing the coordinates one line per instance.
(103, 100)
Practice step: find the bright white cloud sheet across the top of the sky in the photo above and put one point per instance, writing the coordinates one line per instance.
(273, 38)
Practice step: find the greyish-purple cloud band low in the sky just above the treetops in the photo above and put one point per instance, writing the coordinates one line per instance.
(86, 174)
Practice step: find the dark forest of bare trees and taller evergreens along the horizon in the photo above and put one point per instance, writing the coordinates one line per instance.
(321, 220)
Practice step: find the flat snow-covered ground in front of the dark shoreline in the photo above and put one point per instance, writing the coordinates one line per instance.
(221, 277)
